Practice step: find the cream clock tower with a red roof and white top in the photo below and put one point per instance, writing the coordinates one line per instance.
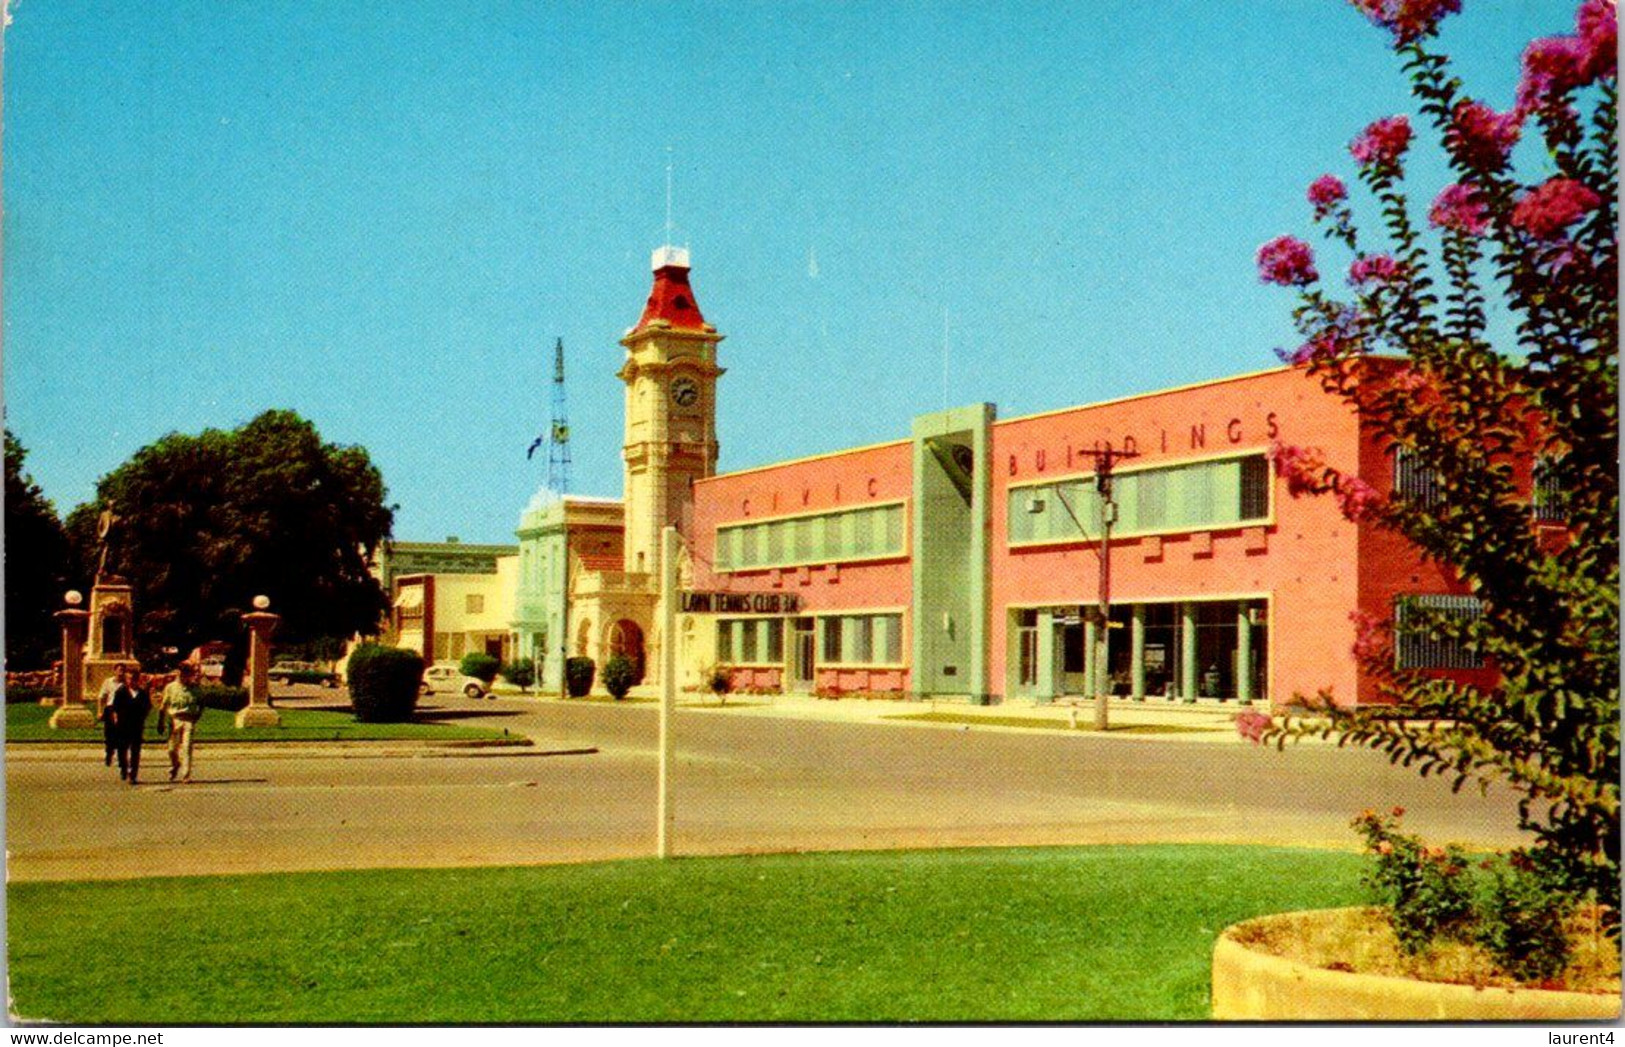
(670, 378)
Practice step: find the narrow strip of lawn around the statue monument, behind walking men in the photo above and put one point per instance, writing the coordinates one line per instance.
(30, 723)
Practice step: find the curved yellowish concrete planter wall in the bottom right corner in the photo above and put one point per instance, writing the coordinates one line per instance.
(1254, 986)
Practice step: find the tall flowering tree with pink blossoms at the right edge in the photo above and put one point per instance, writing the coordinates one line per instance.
(1418, 349)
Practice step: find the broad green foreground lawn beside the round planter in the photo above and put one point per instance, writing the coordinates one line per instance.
(1067, 934)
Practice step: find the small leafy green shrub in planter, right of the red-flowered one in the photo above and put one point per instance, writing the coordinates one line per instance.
(1522, 919)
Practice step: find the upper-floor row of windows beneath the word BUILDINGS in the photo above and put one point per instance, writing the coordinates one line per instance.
(1195, 497)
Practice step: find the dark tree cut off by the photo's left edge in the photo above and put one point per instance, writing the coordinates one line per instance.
(37, 565)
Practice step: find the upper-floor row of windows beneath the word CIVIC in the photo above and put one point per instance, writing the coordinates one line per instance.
(831, 537)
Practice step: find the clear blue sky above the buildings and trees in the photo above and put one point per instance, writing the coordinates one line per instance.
(384, 215)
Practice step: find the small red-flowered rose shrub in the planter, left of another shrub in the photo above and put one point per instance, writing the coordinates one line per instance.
(1426, 888)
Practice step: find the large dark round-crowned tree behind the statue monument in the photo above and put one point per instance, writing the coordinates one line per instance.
(210, 521)
